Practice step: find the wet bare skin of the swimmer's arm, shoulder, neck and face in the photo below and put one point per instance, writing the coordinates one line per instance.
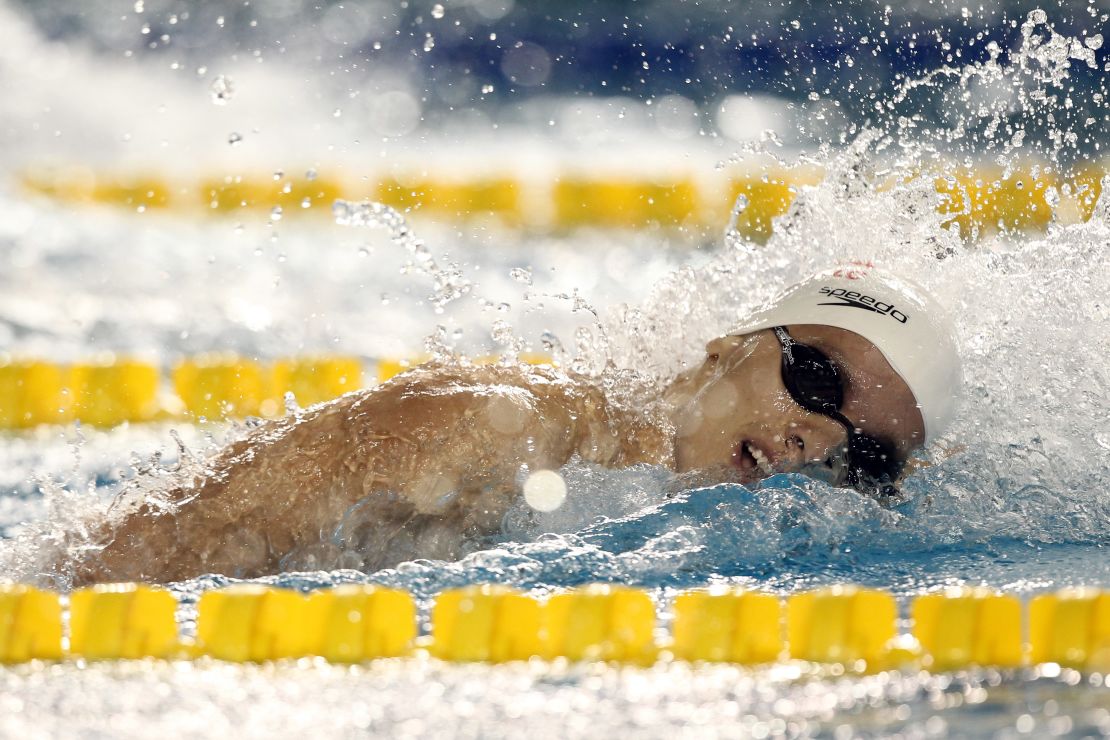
(433, 459)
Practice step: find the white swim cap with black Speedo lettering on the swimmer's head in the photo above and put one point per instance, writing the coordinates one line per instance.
(909, 327)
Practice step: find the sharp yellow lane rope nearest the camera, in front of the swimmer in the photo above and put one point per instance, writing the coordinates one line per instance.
(847, 626)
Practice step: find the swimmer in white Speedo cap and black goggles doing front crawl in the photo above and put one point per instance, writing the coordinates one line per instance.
(842, 379)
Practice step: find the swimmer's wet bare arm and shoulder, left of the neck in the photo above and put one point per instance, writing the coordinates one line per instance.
(448, 448)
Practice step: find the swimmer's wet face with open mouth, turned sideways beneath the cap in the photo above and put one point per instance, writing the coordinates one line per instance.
(734, 410)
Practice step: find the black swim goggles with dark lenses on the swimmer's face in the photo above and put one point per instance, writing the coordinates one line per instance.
(814, 383)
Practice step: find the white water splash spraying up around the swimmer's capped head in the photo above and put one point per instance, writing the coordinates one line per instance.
(1024, 461)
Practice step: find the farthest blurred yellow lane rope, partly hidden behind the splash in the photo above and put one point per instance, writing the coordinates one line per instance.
(978, 201)
